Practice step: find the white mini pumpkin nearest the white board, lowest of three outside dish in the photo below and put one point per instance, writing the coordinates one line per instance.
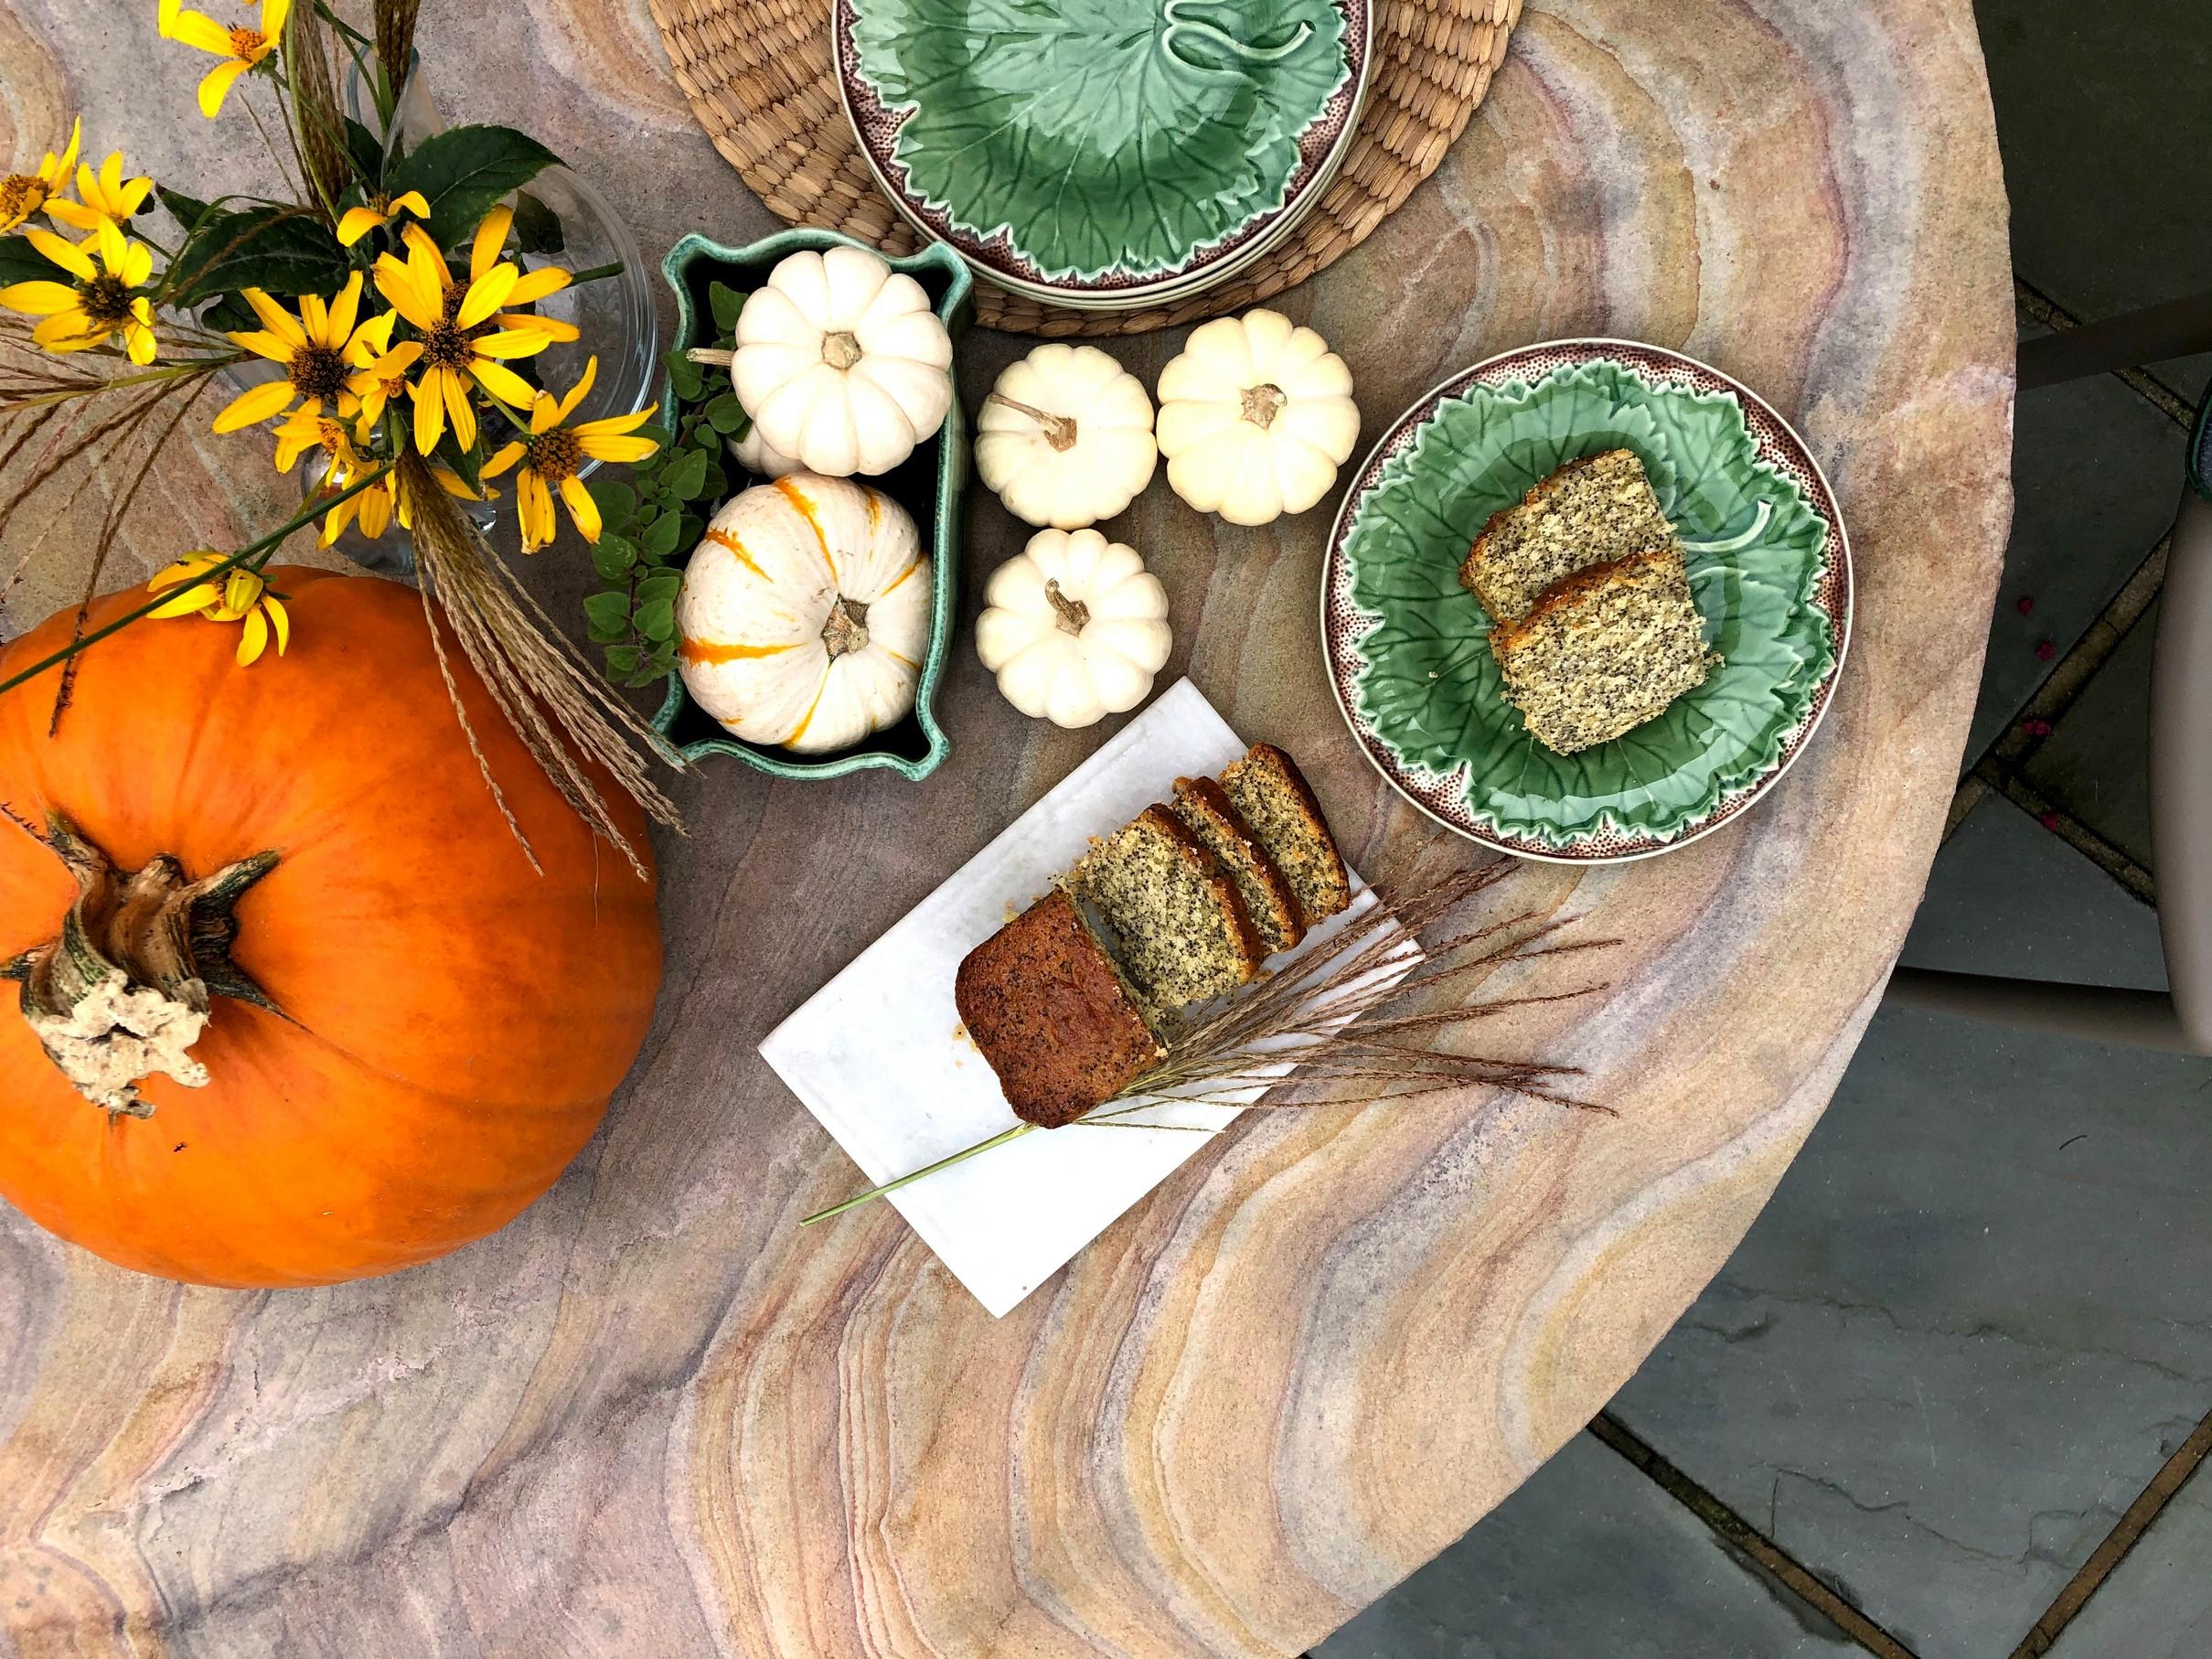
(1074, 627)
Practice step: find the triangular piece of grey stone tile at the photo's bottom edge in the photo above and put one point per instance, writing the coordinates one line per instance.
(1589, 1558)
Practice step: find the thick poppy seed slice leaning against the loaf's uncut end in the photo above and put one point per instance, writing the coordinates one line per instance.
(1171, 915)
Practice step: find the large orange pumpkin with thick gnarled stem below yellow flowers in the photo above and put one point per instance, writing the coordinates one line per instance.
(444, 1023)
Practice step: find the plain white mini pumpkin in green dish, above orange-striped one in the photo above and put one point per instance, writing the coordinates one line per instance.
(842, 362)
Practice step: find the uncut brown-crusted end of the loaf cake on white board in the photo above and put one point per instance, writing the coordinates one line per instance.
(1054, 1016)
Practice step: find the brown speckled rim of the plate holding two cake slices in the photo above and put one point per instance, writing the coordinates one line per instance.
(1777, 444)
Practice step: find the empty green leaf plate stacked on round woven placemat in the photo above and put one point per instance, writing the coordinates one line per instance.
(1105, 154)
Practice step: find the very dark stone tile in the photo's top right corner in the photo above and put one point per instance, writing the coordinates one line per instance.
(2107, 152)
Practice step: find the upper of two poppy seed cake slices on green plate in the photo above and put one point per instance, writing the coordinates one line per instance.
(1585, 514)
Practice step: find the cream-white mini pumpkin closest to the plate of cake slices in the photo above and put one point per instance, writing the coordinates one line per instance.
(1255, 417)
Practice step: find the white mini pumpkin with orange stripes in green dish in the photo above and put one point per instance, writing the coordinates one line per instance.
(804, 614)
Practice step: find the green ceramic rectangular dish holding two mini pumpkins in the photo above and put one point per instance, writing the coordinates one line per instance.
(928, 486)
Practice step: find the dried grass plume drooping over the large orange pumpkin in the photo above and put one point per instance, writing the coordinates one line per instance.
(545, 689)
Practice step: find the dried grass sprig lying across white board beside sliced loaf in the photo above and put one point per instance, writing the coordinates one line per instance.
(1319, 1019)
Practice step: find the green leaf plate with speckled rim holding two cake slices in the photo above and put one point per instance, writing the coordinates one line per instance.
(1410, 647)
